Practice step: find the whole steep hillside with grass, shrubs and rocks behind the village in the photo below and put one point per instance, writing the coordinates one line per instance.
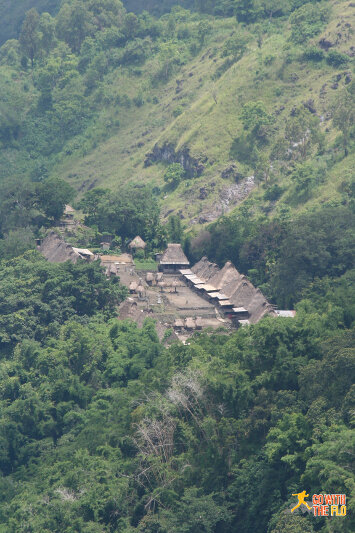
(181, 100)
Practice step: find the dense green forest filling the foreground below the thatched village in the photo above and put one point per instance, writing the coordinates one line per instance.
(103, 429)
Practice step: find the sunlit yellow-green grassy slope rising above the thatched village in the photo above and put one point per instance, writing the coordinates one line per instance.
(206, 127)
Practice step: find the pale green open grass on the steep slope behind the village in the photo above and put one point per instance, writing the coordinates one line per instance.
(208, 122)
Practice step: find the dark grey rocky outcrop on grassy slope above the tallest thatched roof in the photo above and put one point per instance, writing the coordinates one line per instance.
(166, 153)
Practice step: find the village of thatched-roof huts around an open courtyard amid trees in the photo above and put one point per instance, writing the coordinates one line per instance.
(180, 297)
